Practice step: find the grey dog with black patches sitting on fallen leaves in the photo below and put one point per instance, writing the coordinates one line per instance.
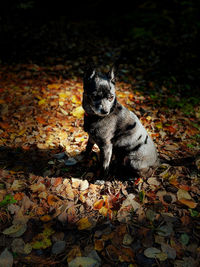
(115, 129)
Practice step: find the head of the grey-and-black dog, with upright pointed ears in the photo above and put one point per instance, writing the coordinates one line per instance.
(99, 92)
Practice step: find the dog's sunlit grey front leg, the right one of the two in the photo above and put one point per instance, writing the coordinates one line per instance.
(105, 157)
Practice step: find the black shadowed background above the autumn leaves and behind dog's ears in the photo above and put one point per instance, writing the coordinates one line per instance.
(155, 41)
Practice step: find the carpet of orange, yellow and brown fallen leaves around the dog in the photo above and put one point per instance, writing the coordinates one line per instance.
(53, 210)
